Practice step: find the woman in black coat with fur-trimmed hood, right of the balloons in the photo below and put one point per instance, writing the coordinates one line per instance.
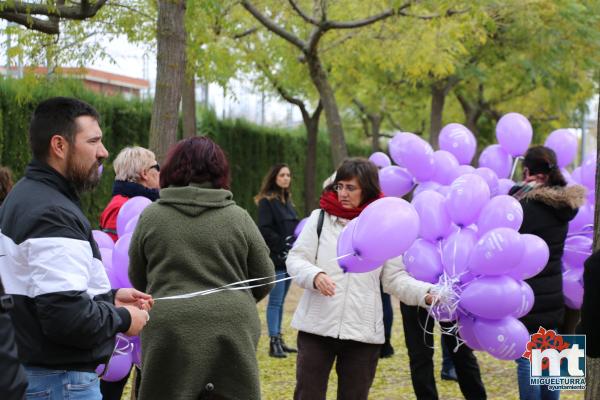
(548, 206)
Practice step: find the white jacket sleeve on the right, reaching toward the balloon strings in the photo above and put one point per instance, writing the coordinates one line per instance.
(398, 282)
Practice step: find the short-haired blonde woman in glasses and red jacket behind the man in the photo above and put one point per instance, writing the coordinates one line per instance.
(136, 174)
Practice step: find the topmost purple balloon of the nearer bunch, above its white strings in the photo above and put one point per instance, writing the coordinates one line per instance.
(468, 194)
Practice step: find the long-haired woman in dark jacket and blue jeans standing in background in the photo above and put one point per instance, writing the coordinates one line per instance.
(277, 220)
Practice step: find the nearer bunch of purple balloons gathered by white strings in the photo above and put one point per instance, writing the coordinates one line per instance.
(469, 241)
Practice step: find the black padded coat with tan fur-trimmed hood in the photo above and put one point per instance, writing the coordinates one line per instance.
(546, 213)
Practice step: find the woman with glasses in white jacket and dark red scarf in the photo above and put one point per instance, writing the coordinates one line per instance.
(339, 317)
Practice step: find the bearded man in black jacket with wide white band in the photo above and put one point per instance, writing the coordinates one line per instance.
(65, 314)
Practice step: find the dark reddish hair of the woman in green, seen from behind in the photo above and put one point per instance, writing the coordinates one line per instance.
(195, 160)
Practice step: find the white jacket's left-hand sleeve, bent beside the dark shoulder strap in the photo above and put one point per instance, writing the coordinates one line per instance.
(301, 259)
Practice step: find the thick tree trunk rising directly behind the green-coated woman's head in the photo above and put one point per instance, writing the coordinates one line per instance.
(169, 76)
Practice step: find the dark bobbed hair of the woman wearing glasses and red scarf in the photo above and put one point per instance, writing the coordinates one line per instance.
(364, 171)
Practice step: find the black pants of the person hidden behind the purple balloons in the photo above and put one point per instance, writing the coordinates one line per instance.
(420, 354)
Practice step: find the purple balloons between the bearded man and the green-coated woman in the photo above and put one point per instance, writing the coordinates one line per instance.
(115, 257)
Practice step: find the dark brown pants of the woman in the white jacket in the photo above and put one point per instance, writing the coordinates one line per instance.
(356, 363)
